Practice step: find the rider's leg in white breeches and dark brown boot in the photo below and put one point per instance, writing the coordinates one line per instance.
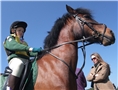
(17, 66)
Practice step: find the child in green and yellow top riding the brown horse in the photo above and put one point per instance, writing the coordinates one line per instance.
(18, 52)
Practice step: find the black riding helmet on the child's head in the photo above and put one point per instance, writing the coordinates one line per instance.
(17, 24)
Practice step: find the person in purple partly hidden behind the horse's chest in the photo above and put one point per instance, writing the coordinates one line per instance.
(81, 80)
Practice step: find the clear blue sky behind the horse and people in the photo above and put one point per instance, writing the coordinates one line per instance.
(41, 15)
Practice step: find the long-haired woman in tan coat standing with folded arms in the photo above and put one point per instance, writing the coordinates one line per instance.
(99, 74)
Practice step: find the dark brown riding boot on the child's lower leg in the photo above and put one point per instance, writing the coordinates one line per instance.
(14, 82)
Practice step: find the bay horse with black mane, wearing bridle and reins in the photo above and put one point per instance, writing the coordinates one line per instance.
(57, 66)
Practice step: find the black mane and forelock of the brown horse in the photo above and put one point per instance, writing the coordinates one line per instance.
(52, 38)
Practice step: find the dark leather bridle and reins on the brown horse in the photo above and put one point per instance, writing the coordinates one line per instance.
(83, 40)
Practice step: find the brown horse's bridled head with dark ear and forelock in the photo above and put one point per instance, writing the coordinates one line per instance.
(90, 27)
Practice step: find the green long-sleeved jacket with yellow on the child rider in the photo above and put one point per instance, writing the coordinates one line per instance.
(14, 48)
